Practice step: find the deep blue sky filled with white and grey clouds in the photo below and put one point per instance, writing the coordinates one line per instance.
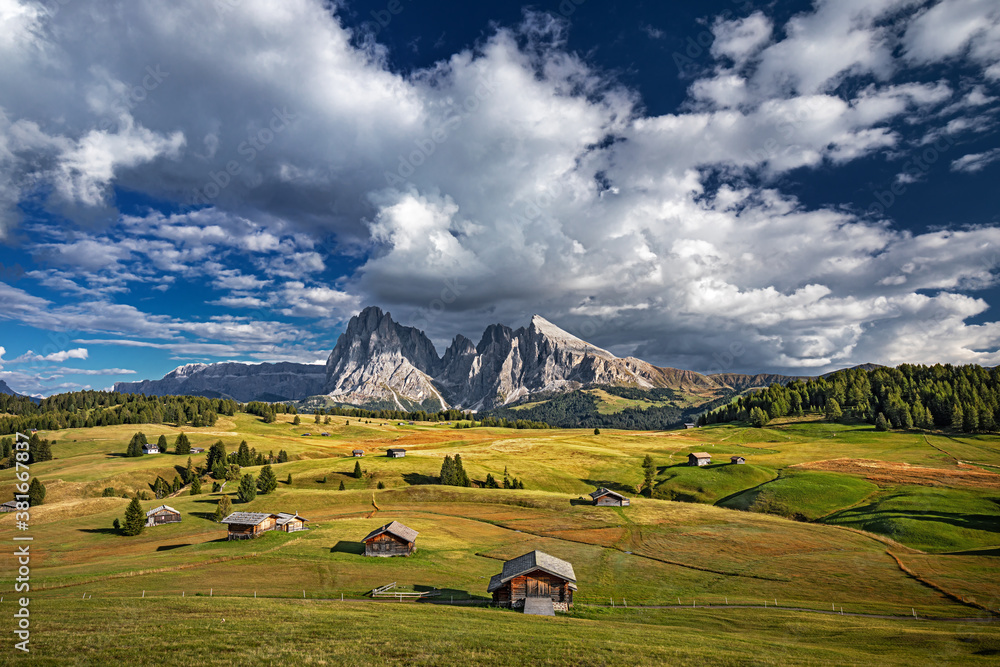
(726, 186)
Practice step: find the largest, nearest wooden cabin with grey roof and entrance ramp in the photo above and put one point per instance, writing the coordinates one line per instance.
(534, 575)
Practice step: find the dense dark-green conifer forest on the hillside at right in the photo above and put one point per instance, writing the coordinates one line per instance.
(942, 396)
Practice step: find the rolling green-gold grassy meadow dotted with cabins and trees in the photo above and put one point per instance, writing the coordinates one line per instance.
(822, 517)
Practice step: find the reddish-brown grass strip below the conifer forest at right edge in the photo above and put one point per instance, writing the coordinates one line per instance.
(890, 473)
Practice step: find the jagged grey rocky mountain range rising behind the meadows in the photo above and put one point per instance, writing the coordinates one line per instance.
(380, 364)
